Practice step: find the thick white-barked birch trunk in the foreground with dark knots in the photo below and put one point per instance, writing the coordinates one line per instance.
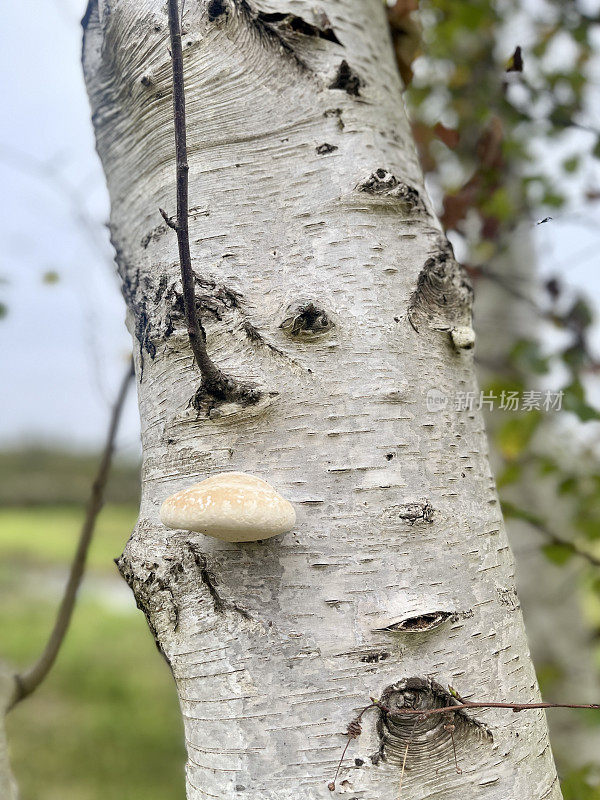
(325, 280)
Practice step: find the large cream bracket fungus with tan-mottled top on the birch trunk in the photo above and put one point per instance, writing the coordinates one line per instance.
(231, 506)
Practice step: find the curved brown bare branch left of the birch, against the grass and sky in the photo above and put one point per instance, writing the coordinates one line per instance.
(28, 681)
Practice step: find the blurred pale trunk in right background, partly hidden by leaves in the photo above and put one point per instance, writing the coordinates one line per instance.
(548, 594)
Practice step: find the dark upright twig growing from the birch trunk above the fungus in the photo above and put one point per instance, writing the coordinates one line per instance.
(215, 382)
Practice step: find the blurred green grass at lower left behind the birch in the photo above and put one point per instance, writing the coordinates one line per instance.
(105, 725)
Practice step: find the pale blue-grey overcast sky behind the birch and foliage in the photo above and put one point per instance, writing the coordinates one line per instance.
(63, 346)
